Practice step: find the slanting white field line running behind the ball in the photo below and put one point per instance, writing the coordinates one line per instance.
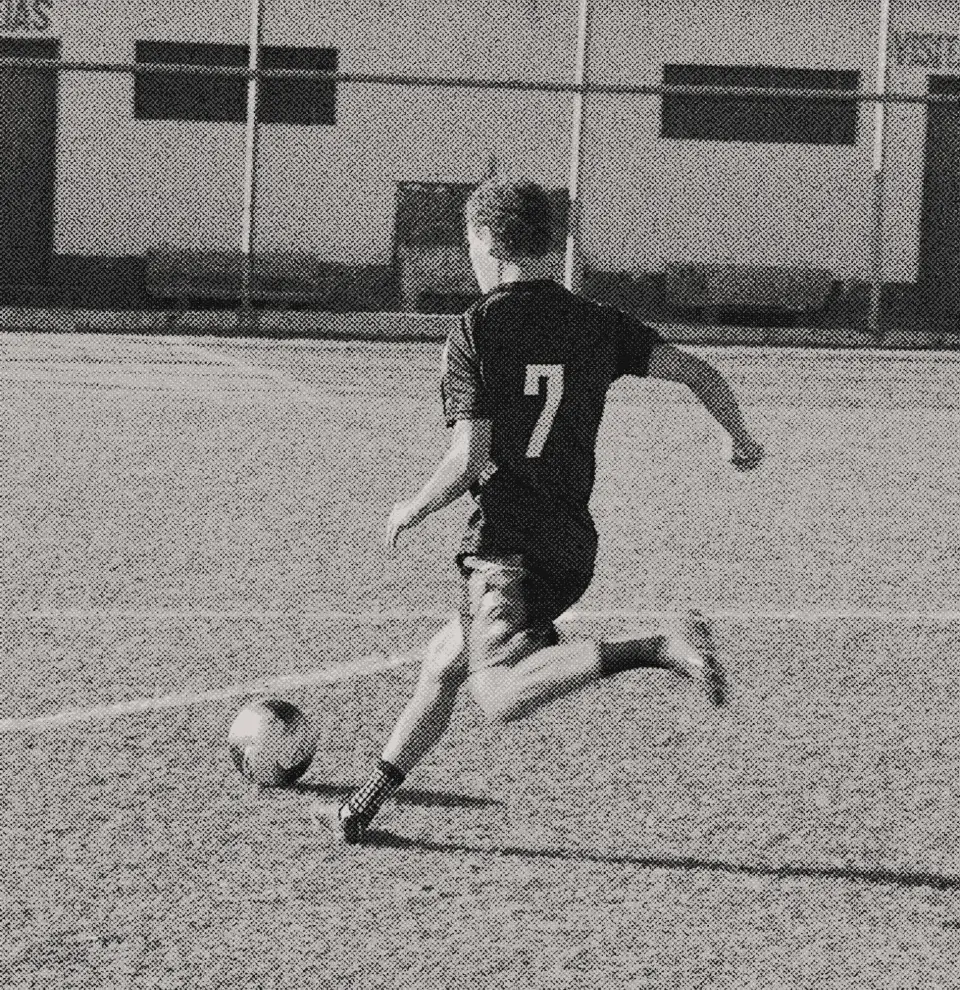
(327, 675)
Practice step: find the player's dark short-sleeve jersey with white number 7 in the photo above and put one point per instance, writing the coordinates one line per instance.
(537, 361)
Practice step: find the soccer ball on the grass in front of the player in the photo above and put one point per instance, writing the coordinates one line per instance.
(272, 742)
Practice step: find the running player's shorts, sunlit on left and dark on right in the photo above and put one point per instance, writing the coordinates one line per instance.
(508, 606)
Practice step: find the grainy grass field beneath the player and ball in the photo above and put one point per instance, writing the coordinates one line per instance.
(184, 518)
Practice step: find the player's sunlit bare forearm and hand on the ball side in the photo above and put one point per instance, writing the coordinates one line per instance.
(463, 463)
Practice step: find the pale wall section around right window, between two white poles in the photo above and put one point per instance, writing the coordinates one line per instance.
(653, 201)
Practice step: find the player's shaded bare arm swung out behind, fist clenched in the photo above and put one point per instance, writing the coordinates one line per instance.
(712, 389)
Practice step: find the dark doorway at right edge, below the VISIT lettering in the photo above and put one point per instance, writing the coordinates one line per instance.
(939, 274)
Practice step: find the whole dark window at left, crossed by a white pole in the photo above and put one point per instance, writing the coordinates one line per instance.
(183, 96)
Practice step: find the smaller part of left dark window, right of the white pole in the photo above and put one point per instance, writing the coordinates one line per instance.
(298, 101)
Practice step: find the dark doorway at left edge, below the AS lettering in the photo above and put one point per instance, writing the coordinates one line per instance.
(28, 151)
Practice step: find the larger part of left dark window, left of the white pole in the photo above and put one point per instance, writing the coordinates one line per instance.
(180, 96)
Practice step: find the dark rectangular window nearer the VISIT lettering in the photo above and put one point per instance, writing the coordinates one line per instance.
(780, 121)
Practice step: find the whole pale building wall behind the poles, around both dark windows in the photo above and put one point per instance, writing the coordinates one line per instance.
(127, 185)
